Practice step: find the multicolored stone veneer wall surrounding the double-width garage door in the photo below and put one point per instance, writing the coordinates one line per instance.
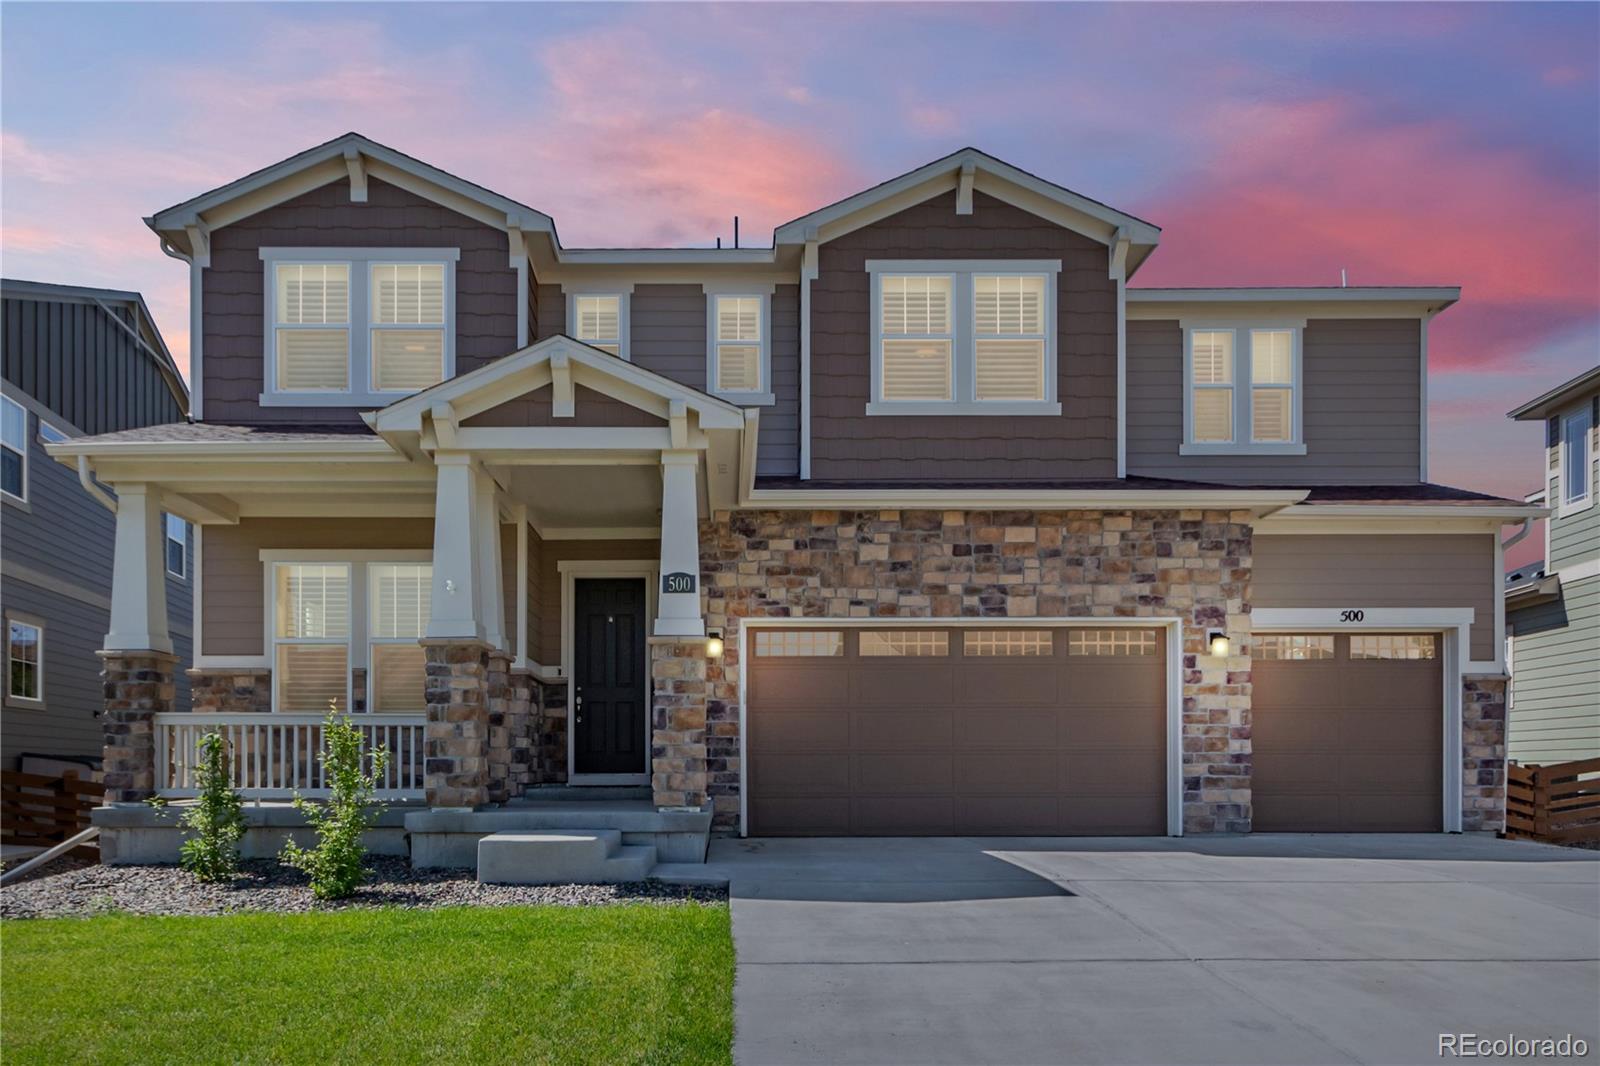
(977, 564)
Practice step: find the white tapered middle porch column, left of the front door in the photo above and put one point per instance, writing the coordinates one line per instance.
(458, 609)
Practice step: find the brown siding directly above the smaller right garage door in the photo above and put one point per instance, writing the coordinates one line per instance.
(1382, 571)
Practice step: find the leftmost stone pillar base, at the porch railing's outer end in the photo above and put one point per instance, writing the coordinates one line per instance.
(138, 687)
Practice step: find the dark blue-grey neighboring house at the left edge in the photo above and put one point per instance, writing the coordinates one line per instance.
(79, 363)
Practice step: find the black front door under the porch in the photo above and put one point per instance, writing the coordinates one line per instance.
(610, 687)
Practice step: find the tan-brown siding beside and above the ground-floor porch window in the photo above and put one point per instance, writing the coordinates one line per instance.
(231, 575)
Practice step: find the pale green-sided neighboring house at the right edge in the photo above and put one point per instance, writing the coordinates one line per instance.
(1553, 607)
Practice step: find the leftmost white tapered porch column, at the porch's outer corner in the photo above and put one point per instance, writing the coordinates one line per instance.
(138, 587)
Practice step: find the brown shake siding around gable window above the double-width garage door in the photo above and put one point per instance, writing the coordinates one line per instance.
(847, 444)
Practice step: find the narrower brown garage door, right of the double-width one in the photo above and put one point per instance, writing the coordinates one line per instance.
(1348, 732)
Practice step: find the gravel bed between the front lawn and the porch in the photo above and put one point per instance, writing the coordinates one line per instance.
(270, 886)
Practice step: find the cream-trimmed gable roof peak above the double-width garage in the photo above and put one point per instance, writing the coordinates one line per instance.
(966, 170)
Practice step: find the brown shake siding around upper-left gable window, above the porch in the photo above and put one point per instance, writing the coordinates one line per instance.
(234, 327)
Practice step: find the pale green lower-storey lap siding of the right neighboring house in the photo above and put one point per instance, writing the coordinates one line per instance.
(1556, 678)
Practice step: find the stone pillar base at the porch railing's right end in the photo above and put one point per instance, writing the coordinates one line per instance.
(457, 767)
